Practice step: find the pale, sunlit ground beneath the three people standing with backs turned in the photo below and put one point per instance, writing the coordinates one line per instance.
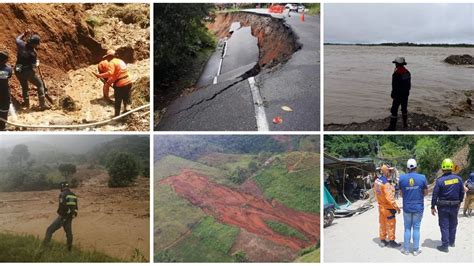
(355, 239)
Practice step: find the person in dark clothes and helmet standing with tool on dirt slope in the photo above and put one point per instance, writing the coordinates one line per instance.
(25, 68)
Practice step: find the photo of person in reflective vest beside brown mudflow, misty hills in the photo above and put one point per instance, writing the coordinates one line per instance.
(75, 198)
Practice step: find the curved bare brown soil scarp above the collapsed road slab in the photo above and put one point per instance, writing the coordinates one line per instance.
(276, 40)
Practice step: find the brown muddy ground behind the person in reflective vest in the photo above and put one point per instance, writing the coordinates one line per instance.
(111, 220)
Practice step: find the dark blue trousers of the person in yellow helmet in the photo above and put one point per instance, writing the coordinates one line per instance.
(448, 222)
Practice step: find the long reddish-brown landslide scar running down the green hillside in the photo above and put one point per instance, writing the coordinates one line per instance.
(245, 210)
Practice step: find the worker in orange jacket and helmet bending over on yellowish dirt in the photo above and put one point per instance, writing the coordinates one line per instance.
(116, 76)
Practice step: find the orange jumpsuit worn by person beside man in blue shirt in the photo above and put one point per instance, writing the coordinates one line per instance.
(385, 195)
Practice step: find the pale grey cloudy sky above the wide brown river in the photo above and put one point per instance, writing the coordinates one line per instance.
(418, 23)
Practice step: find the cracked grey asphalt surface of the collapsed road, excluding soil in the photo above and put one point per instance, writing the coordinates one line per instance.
(228, 105)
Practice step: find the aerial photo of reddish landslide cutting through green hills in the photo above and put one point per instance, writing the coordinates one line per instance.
(236, 198)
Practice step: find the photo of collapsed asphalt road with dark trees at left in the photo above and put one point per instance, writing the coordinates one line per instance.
(237, 67)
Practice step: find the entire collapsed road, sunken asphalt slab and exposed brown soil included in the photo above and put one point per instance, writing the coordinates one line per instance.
(263, 64)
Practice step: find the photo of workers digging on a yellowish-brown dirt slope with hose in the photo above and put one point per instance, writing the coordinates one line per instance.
(74, 67)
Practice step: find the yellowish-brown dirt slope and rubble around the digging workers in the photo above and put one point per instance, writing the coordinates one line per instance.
(74, 38)
